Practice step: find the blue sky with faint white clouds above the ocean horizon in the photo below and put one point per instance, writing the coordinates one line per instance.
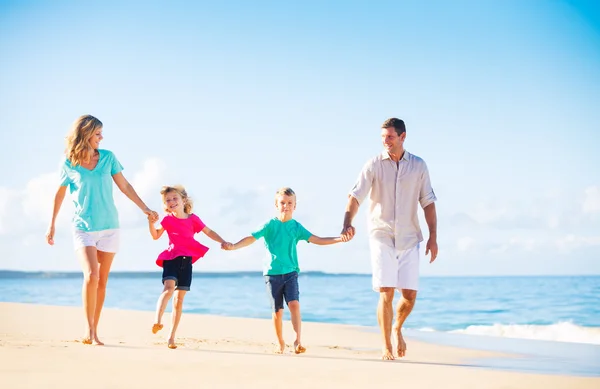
(236, 99)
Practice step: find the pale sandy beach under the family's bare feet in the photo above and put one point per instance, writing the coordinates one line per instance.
(39, 348)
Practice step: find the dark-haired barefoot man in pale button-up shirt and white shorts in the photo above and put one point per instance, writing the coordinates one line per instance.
(397, 181)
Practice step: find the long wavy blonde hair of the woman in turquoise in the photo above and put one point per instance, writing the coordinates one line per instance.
(78, 148)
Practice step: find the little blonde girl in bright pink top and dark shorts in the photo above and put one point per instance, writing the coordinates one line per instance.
(181, 225)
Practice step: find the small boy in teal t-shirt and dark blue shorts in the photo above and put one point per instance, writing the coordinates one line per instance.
(281, 235)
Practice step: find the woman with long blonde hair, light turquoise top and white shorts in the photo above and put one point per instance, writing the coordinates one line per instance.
(88, 172)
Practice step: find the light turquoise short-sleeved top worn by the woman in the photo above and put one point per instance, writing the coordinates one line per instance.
(92, 192)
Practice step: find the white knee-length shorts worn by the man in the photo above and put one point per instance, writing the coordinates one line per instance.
(394, 268)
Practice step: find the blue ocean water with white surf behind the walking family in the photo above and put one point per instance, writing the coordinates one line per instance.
(557, 316)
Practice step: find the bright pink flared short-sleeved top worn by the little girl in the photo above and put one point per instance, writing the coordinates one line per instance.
(181, 238)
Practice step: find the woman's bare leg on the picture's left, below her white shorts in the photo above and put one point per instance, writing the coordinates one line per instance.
(89, 265)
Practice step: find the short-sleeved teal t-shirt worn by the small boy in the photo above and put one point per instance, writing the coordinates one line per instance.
(281, 239)
